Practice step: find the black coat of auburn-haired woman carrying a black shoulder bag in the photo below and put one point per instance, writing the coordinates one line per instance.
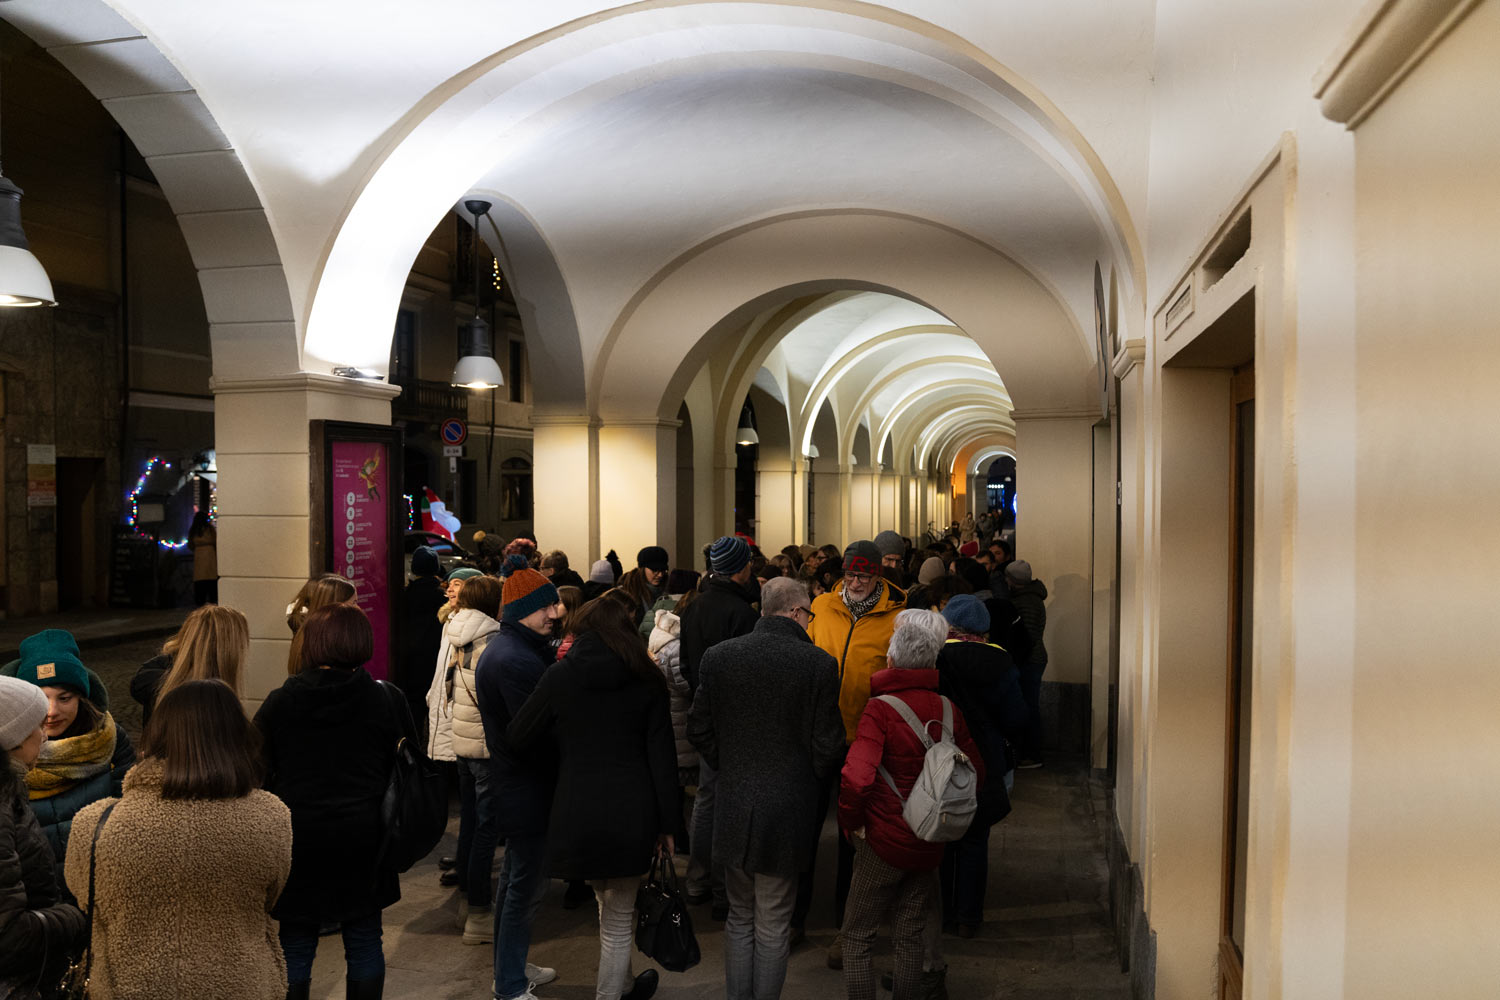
(329, 746)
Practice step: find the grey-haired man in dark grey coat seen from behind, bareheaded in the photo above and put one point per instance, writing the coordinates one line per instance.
(766, 717)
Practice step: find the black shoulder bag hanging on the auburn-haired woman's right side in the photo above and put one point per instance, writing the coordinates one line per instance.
(415, 810)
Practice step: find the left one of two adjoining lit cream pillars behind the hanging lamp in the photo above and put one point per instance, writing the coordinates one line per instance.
(566, 485)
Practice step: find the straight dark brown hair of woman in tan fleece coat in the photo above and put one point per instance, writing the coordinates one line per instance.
(208, 749)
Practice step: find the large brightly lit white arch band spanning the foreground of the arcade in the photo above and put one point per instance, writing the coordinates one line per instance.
(466, 124)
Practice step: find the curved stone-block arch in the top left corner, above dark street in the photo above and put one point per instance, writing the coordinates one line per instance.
(229, 233)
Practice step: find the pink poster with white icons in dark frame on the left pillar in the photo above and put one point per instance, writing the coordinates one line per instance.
(361, 536)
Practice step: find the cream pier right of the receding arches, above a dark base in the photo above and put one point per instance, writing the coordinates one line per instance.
(1054, 533)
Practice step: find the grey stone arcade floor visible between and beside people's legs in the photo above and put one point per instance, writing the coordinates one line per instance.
(1046, 933)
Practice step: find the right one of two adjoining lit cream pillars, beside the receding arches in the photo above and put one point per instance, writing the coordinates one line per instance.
(638, 488)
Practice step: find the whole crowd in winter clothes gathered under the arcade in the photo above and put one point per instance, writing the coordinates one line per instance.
(595, 729)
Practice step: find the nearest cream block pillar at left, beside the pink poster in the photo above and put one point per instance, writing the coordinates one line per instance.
(262, 436)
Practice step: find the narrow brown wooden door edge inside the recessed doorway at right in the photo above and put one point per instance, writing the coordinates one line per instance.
(1238, 681)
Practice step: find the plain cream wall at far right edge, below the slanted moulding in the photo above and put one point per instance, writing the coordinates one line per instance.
(1424, 878)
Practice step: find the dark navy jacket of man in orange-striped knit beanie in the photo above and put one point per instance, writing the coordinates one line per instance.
(508, 674)
